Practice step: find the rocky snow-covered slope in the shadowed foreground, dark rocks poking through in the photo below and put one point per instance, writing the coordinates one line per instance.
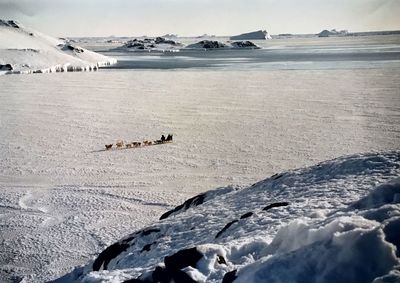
(338, 221)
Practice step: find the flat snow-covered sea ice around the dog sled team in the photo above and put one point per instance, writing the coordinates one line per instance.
(62, 201)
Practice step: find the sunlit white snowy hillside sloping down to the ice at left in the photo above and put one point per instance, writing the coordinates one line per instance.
(23, 50)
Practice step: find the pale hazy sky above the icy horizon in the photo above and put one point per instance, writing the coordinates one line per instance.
(196, 17)
